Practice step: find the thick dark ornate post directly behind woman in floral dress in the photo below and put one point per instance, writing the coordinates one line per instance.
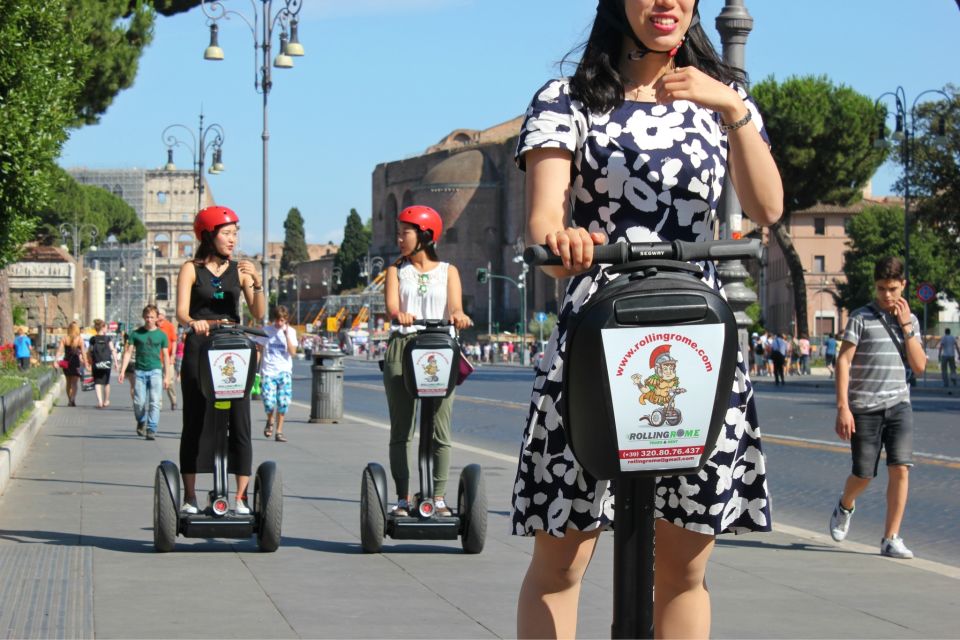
(734, 24)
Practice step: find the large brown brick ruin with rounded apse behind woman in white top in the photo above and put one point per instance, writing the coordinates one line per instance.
(471, 179)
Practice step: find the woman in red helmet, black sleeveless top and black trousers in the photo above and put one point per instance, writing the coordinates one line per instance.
(209, 288)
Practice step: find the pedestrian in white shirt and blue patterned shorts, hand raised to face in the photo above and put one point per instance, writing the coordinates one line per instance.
(276, 370)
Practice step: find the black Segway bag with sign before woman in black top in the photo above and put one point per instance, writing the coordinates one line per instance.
(228, 366)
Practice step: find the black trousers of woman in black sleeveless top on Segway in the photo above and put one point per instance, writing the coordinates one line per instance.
(196, 447)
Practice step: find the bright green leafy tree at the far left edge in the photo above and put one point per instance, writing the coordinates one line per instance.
(39, 87)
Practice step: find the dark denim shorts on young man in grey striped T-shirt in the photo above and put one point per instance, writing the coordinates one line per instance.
(889, 429)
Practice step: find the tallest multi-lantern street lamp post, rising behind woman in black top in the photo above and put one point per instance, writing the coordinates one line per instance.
(290, 46)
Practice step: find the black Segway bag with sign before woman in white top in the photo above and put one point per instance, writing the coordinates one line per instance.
(431, 361)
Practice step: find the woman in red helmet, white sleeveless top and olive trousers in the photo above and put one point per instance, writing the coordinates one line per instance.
(418, 285)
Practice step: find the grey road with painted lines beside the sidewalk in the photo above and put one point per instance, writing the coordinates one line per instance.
(807, 463)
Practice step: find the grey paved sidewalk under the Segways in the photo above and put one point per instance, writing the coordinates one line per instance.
(77, 558)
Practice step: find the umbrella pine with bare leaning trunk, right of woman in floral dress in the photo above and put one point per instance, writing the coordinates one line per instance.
(821, 137)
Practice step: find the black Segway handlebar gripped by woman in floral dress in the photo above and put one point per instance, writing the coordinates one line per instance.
(623, 252)
